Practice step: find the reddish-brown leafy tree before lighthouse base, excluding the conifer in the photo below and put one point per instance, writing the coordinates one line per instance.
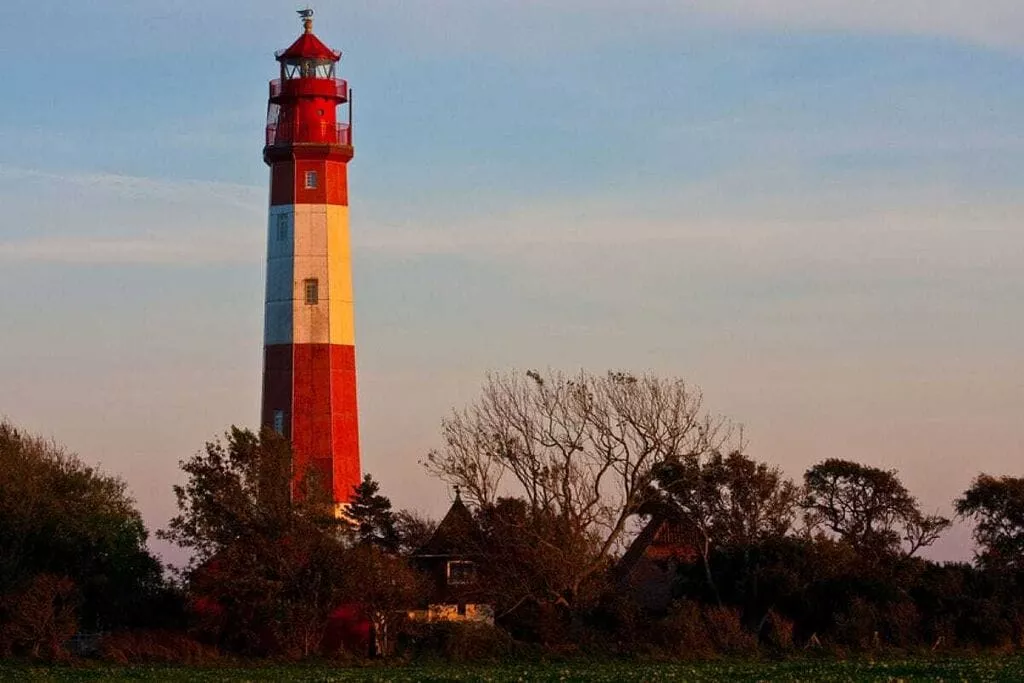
(268, 569)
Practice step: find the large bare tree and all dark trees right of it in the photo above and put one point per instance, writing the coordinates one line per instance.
(736, 557)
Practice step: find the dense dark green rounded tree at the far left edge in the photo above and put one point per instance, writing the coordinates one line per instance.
(69, 527)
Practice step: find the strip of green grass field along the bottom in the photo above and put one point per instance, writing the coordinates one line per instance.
(982, 669)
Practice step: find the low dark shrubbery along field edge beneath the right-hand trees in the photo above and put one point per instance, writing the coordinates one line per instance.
(936, 609)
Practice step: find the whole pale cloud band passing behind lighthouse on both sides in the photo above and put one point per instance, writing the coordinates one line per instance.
(760, 221)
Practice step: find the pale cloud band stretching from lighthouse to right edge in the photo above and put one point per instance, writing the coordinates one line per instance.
(738, 221)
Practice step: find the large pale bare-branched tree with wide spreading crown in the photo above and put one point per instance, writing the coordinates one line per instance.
(581, 449)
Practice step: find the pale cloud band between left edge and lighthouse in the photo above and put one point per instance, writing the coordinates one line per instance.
(109, 219)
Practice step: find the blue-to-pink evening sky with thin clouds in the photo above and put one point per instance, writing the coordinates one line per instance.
(810, 210)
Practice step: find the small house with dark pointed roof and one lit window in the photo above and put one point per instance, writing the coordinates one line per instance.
(451, 559)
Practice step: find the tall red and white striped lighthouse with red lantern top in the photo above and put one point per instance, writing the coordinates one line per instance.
(310, 336)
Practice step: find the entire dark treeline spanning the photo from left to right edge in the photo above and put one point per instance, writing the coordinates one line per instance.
(608, 515)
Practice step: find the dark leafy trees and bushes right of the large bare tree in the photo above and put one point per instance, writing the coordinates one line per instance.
(832, 564)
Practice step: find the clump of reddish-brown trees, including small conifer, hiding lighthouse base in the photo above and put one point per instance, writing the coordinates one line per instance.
(273, 567)
